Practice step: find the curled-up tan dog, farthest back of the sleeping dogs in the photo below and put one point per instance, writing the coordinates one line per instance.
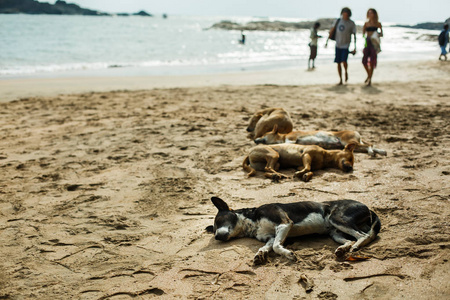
(264, 120)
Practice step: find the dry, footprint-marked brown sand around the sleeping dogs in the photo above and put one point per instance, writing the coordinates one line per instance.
(106, 195)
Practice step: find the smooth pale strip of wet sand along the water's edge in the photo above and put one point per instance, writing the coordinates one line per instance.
(387, 71)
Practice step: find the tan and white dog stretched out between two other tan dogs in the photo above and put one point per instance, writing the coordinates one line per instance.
(324, 139)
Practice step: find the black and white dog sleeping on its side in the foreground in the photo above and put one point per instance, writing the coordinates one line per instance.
(273, 223)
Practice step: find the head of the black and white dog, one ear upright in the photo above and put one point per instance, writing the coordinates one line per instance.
(225, 222)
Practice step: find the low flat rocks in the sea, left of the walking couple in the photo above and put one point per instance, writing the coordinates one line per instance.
(325, 24)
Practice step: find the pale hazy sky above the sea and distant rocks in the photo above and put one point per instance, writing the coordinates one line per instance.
(399, 11)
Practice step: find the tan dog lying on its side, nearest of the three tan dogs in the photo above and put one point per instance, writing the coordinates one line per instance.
(304, 158)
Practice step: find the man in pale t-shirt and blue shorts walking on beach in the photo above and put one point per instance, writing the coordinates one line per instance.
(342, 31)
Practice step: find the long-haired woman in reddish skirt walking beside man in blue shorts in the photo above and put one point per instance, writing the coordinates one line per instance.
(372, 47)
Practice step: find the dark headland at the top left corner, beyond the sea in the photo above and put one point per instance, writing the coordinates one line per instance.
(35, 7)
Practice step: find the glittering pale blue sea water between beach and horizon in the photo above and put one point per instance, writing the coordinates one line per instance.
(46, 46)
